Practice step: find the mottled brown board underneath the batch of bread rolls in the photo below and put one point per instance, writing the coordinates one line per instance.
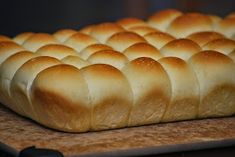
(19, 132)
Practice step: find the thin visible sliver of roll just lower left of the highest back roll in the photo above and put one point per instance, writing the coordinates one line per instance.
(143, 30)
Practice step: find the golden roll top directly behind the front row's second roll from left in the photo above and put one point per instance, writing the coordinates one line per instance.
(110, 57)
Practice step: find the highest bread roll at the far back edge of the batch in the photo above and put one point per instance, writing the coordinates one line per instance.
(162, 19)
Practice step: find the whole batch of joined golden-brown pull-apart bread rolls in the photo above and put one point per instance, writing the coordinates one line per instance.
(173, 66)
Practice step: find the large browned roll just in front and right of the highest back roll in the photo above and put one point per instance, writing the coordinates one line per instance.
(189, 23)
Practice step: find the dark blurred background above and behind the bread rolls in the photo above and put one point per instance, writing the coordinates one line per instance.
(18, 16)
